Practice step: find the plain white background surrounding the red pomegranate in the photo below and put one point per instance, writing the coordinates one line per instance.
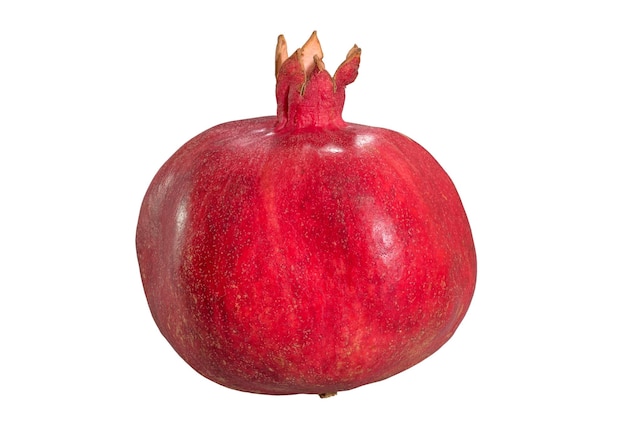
(523, 103)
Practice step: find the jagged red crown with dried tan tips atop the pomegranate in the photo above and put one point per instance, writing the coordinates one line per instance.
(307, 95)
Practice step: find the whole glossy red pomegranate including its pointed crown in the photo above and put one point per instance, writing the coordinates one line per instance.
(299, 253)
